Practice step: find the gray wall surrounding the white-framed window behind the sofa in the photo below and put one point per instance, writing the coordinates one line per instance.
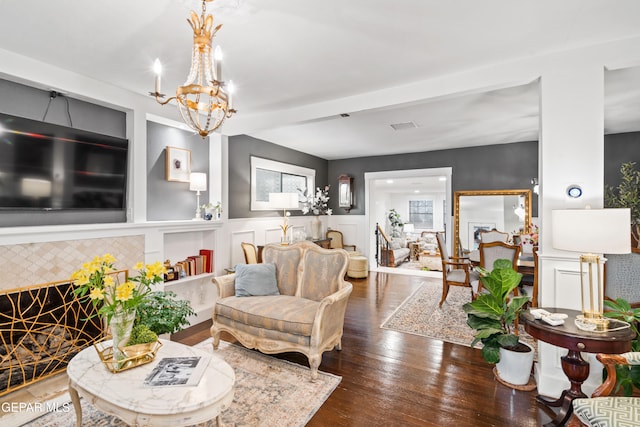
(241, 148)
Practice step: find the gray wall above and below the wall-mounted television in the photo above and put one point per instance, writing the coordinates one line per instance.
(24, 101)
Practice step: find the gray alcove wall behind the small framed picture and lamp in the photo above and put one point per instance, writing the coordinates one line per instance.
(171, 200)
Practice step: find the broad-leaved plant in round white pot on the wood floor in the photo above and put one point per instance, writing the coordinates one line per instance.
(493, 315)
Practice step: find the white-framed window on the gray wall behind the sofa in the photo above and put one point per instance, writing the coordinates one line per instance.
(269, 176)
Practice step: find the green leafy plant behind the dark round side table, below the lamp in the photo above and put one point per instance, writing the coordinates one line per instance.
(627, 376)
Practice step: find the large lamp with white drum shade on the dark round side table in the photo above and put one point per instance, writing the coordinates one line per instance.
(592, 232)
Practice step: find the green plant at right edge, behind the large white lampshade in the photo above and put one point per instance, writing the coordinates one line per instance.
(627, 195)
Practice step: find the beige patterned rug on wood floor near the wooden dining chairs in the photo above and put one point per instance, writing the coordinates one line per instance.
(419, 315)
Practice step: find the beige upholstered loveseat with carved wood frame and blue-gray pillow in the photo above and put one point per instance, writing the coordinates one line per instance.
(294, 301)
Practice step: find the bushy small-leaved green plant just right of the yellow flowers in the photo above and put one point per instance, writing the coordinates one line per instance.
(163, 313)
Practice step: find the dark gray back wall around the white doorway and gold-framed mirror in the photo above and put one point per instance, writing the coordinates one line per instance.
(493, 167)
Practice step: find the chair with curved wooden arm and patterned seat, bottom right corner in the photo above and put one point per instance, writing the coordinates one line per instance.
(603, 410)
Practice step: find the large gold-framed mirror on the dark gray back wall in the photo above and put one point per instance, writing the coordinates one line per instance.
(476, 211)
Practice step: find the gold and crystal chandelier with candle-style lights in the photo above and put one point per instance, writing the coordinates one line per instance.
(204, 101)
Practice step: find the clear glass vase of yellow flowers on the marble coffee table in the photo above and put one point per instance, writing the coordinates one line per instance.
(98, 282)
